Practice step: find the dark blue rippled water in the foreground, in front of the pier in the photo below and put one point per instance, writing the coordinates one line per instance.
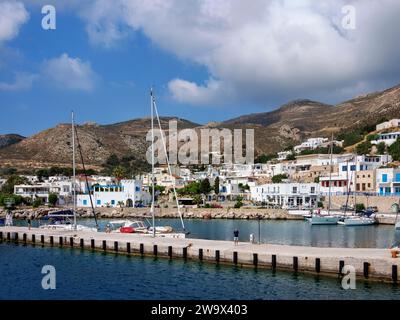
(82, 274)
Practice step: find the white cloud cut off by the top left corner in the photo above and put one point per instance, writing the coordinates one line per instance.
(13, 16)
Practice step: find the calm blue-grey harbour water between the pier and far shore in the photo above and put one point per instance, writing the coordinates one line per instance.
(283, 232)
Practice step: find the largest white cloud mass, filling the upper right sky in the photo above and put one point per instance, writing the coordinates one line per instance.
(259, 50)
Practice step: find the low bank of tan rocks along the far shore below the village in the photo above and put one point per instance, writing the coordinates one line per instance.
(188, 213)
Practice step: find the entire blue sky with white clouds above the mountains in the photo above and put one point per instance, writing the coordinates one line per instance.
(208, 60)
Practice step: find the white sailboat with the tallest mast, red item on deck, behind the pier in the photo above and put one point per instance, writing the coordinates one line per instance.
(129, 226)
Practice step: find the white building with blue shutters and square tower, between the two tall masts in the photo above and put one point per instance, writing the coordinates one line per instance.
(128, 193)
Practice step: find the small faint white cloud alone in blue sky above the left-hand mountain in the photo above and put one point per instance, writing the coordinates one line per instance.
(68, 73)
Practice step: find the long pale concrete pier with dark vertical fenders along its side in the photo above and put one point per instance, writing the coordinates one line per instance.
(374, 264)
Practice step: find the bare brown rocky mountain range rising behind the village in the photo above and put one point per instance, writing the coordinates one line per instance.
(287, 125)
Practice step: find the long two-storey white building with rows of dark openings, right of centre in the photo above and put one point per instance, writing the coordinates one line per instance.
(287, 195)
